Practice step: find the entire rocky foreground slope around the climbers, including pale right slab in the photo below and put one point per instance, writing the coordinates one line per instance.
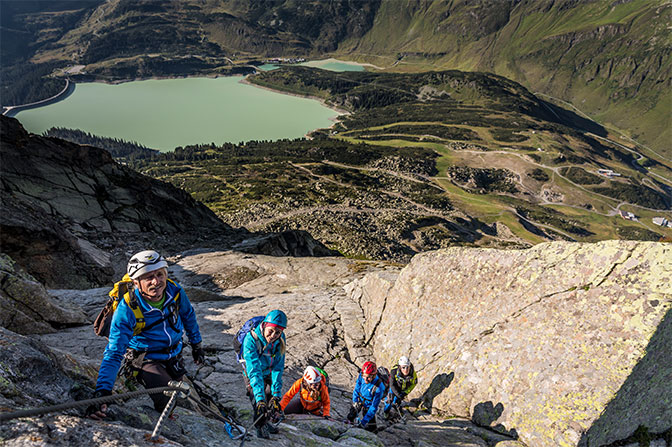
(563, 344)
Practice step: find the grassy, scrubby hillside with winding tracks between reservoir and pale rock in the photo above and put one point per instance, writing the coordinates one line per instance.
(424, 161)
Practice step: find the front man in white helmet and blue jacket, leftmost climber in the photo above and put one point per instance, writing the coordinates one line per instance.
(167, 314)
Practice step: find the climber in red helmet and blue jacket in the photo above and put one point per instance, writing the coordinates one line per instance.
(369, 391)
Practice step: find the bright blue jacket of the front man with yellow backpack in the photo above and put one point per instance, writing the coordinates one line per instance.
(161, 342)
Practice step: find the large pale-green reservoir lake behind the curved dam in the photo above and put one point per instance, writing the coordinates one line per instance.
(164, 114)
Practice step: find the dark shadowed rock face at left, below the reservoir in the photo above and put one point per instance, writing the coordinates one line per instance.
(62, 202)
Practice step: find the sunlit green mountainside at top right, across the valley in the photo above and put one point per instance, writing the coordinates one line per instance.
(612, 59)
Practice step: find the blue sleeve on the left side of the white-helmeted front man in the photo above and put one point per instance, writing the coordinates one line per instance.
(121, 331)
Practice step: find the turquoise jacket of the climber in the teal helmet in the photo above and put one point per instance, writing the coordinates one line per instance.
(260, 363)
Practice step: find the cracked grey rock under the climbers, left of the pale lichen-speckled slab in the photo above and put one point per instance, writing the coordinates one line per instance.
(232, 287)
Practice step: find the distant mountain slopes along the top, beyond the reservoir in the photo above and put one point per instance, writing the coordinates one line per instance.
(610, 58)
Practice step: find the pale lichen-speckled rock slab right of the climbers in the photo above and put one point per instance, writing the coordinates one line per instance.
(567, 344)
